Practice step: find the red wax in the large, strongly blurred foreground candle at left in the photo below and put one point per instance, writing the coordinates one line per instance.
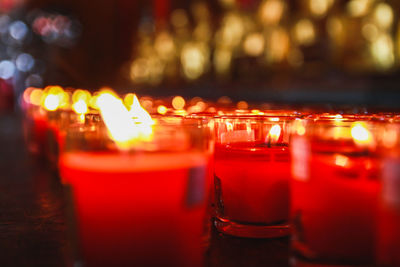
(138, 209)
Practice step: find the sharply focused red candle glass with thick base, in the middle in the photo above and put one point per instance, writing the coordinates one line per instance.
(252, 172)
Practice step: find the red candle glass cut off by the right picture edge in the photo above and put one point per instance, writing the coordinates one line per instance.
(388, 243)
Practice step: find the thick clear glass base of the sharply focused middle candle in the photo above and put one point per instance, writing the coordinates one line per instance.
(251, 231)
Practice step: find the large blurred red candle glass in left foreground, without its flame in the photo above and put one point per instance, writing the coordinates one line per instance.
(142, 206)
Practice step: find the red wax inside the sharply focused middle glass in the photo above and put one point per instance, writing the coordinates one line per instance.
(253, 182)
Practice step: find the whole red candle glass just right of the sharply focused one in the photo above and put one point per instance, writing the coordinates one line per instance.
(334, 190)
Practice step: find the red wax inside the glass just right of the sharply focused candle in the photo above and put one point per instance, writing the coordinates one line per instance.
(334, 208)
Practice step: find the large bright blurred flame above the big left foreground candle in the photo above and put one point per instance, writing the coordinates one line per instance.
(124, 129)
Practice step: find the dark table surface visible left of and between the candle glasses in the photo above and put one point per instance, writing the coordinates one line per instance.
(33, 225)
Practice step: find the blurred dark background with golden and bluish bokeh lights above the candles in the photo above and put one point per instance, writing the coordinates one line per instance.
(325, 52)
